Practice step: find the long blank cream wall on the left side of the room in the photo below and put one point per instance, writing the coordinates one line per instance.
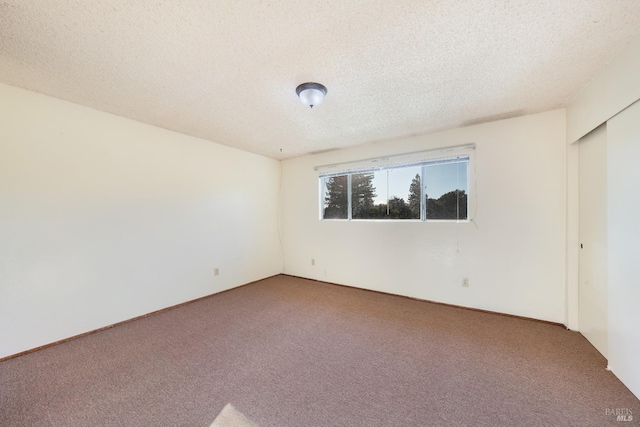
(103, 219)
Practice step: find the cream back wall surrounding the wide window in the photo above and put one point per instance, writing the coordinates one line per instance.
(515, 258)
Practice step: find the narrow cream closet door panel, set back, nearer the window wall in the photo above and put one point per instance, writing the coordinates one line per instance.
(593, 238)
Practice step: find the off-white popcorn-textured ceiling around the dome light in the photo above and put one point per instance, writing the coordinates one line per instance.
(226, 71)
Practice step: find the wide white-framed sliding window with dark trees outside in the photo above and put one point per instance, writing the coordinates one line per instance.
(432, 189)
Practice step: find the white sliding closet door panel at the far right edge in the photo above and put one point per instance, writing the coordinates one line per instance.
(623, 190)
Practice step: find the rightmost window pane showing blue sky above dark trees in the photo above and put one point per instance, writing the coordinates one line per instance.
(447, 188)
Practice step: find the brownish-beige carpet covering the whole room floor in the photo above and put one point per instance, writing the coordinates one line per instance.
(289, 352)
